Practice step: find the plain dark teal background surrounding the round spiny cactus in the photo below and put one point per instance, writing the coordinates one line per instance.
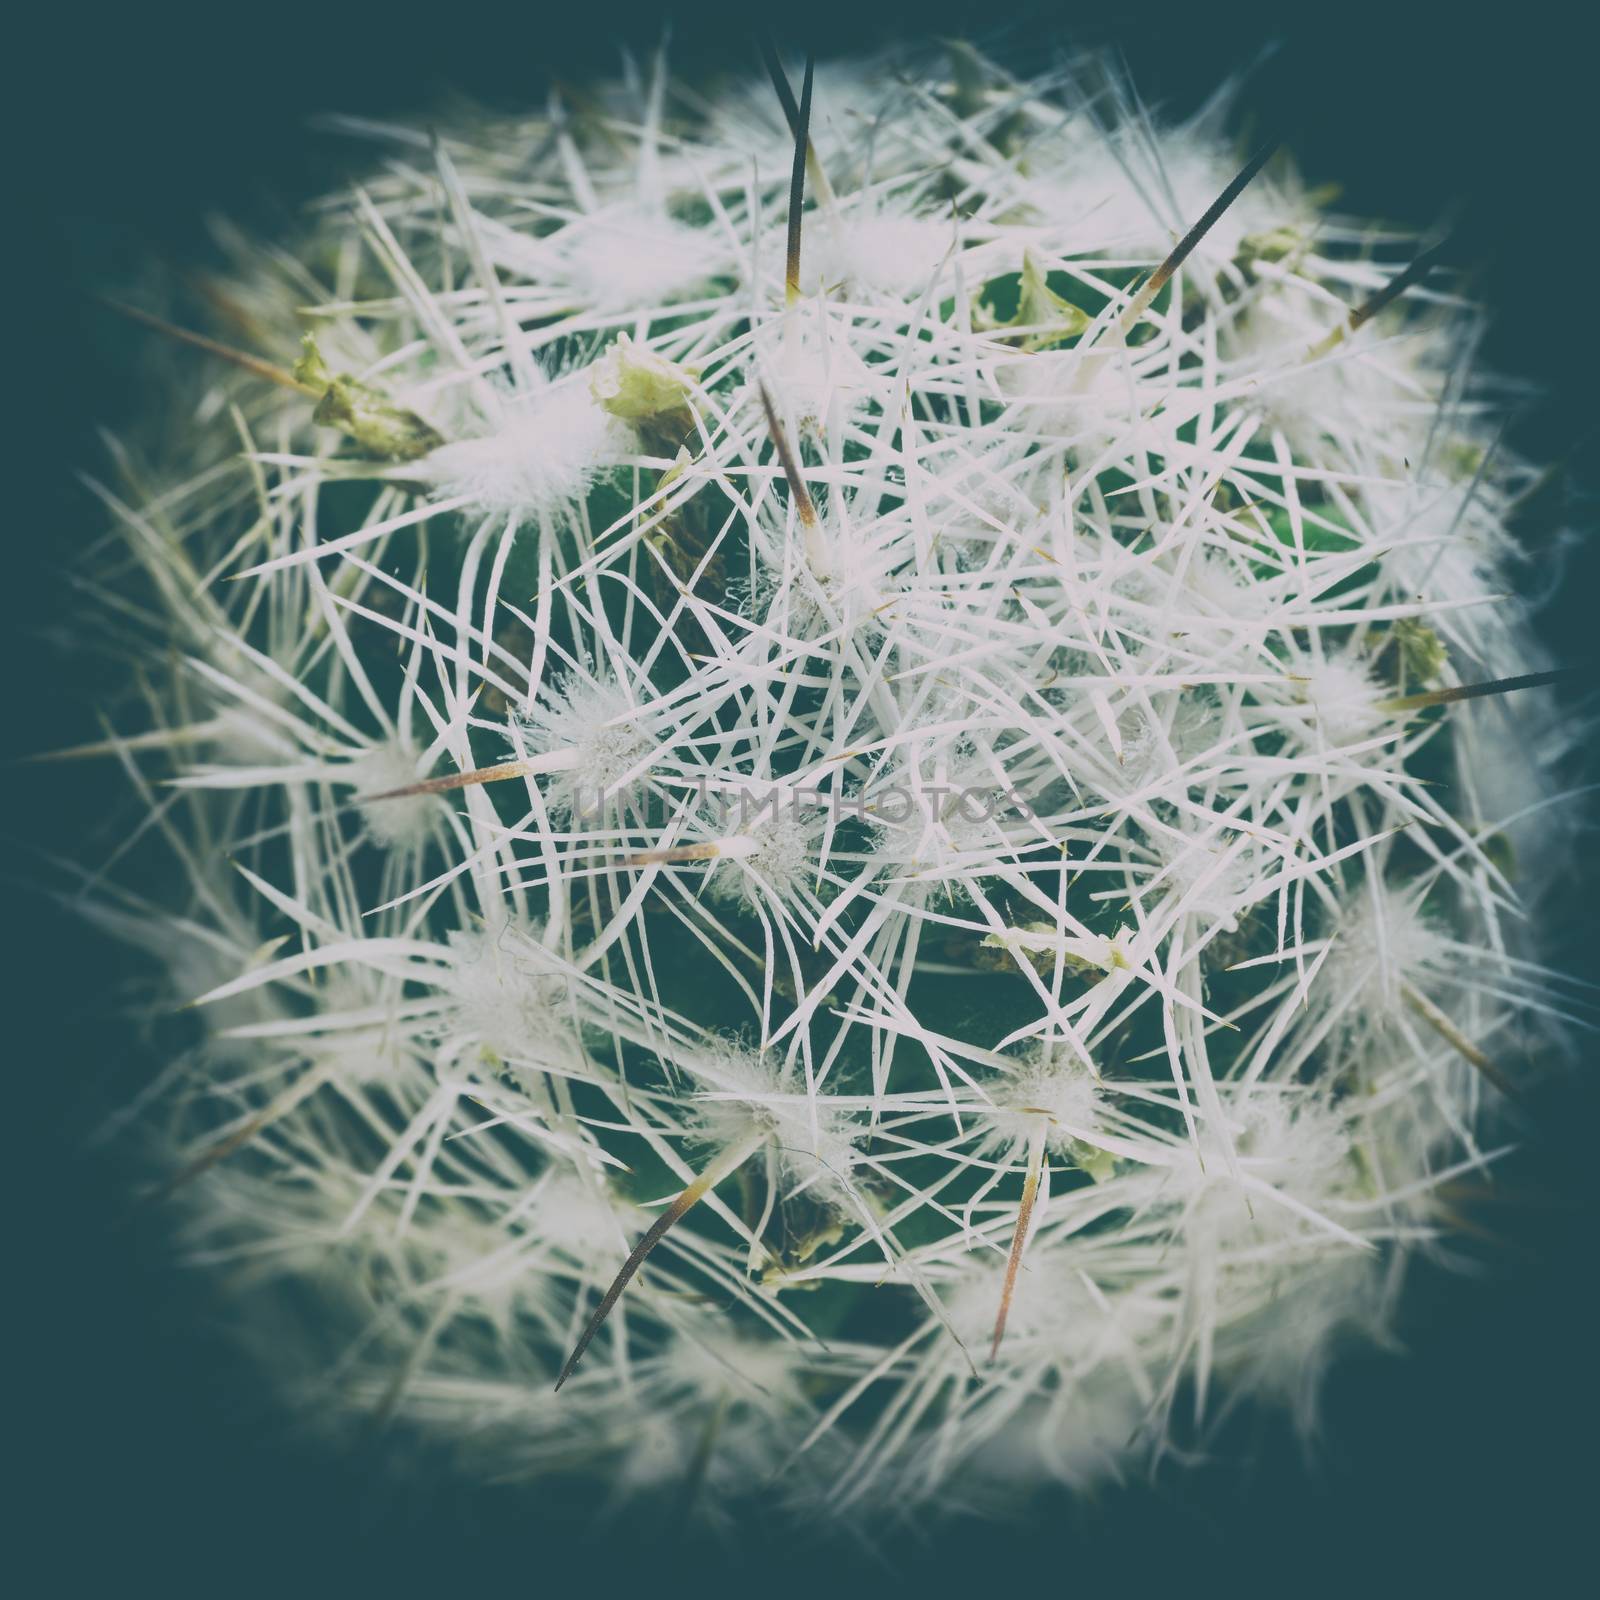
(150, 1462)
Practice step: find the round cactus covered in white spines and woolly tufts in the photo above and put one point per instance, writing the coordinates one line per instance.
(839, 774)
